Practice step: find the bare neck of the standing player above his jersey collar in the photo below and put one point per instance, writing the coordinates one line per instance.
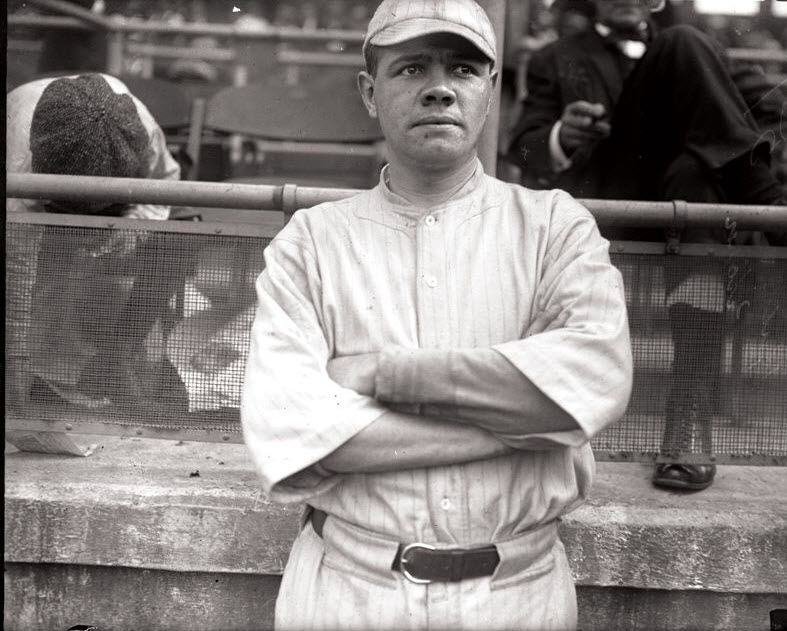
(426, 188)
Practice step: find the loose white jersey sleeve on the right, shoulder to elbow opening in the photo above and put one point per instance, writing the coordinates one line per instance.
(577, 349)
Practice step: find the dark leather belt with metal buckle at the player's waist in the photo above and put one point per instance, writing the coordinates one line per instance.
(423, 563)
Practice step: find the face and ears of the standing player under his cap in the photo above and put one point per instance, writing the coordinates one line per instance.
(431, 96)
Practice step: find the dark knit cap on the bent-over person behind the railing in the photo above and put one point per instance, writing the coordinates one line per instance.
(81, 126)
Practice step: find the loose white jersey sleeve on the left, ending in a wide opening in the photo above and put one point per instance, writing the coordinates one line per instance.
(293, 414)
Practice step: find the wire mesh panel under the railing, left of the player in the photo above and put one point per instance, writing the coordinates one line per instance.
(129, 327)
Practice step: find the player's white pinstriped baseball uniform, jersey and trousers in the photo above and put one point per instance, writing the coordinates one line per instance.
(464, 300)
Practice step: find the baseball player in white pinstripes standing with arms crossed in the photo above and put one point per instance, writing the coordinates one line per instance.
(429, 360)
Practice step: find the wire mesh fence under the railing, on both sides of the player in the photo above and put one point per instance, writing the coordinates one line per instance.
(150, 329)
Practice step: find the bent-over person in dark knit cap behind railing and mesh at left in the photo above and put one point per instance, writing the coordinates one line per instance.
(83, 329)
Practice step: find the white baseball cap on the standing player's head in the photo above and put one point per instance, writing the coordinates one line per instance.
(397, 21)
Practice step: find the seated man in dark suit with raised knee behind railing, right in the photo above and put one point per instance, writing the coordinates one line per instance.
(624, 112)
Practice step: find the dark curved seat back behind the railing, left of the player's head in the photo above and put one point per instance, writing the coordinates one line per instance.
(315, 134)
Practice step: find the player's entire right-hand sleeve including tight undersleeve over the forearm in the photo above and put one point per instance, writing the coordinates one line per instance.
(576, 352)
